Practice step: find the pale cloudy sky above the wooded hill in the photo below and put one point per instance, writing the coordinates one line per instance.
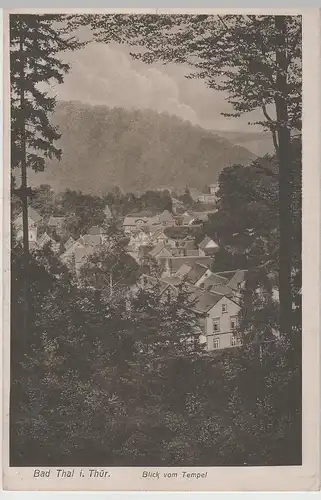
(106, 74)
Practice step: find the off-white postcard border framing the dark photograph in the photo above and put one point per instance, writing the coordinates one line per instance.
(301, 478)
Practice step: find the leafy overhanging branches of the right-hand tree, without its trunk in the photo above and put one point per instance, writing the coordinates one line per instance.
(243, 64)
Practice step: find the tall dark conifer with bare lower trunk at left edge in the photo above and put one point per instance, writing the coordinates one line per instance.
(35, 44)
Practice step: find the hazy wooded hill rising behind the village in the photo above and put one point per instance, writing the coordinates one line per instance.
(134, 149)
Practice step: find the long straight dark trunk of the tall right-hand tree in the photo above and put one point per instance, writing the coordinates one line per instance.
(285, 181)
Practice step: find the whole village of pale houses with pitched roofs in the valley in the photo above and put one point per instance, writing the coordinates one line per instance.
(169, 240)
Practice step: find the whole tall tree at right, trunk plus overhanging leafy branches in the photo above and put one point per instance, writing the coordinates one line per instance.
(255, 61)
